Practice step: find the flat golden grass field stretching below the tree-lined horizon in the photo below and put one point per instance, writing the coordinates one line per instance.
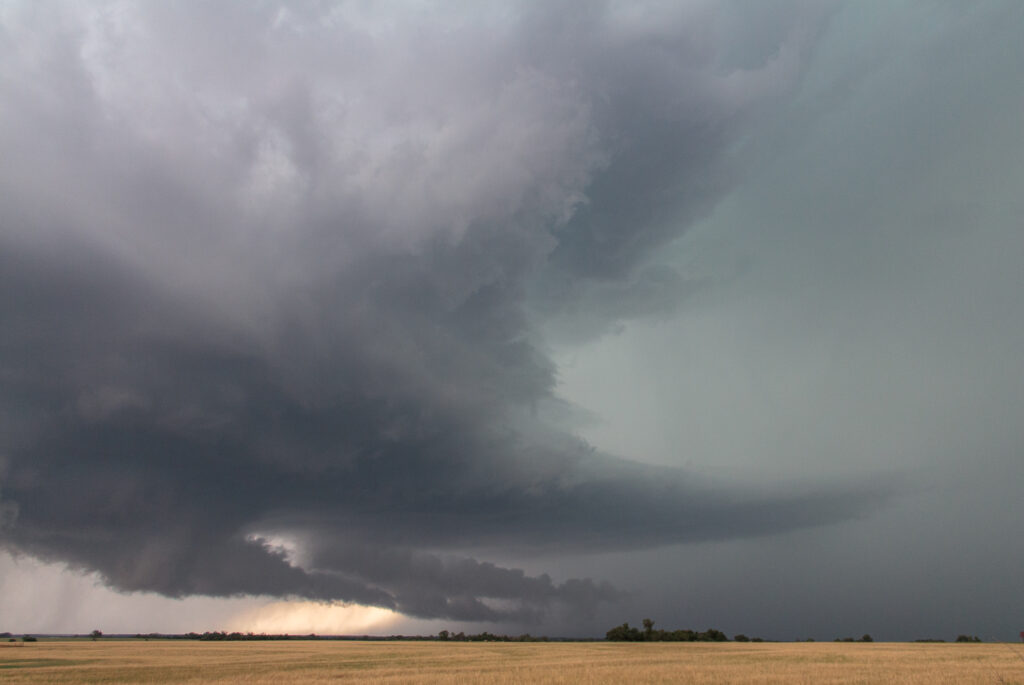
(298, 662)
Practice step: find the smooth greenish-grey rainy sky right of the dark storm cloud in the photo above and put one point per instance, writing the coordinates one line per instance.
(874, 325)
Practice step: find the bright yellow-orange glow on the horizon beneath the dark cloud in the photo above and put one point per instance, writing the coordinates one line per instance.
(303, 618)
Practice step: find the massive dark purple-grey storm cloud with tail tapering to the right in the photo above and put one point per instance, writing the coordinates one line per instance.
(284, 273)
